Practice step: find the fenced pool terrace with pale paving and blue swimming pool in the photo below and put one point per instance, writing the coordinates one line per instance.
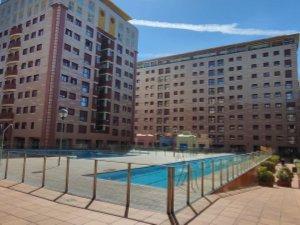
(161, 182)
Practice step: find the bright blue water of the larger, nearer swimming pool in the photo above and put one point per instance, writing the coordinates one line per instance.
(156, 176)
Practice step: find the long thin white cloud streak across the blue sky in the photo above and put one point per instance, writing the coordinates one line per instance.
(220, 28)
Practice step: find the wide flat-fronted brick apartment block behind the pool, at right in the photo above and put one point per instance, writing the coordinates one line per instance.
(243, 95)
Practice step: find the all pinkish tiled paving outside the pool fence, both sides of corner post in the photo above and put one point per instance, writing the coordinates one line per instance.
(255, 206)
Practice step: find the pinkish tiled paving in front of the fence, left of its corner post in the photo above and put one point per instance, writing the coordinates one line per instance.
(17, 208)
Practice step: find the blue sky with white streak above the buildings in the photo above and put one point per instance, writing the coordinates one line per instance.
(168, 27)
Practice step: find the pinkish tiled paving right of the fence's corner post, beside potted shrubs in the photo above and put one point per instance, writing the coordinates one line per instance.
(263, 206)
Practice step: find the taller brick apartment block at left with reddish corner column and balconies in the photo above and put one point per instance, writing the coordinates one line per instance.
(74, 54)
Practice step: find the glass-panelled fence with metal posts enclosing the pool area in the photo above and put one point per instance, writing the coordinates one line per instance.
(182, 183)
